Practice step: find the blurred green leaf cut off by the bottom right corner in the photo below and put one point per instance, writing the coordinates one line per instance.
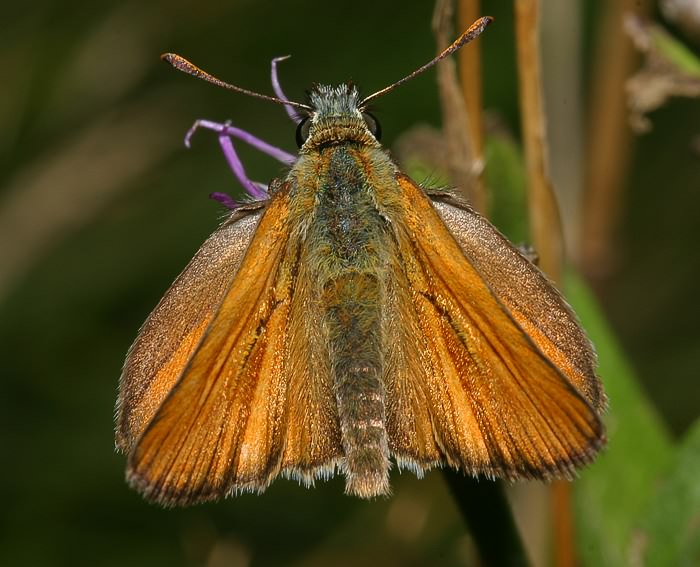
(672, 534)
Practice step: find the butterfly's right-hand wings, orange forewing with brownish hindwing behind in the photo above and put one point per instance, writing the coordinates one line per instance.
(468, 383)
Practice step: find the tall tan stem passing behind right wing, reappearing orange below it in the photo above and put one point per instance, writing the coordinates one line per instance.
(545, 221)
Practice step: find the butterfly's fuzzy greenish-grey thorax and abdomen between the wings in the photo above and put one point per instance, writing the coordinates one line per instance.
(349, 235)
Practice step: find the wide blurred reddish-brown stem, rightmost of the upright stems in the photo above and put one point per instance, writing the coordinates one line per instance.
(608, 142)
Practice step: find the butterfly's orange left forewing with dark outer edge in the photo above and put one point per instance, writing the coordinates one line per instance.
(221, 422)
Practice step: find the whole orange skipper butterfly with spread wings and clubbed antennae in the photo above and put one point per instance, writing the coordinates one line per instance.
(346, 320)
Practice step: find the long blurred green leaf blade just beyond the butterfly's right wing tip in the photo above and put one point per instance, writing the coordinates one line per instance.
(614, 493)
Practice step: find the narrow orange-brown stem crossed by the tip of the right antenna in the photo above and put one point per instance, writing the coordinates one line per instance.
(469, 63)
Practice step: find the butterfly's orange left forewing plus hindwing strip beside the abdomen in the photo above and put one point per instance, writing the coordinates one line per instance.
(229, 423)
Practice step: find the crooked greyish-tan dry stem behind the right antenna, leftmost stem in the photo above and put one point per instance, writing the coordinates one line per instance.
(464, 167)
